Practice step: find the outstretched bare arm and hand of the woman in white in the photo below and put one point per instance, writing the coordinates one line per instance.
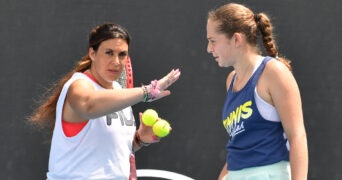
(84, 102)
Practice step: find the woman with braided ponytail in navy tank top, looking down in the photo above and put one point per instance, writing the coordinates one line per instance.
(262, 112)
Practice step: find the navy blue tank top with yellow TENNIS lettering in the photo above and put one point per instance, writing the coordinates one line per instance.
(253, 140)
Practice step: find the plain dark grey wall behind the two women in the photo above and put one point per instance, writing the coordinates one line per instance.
(41, 40)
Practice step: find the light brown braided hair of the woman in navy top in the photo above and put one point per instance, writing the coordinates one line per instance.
(238, 18)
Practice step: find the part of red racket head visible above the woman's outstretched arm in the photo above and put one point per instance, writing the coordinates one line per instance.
(126, 77)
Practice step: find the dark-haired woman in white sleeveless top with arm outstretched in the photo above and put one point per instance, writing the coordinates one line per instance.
(94, 130)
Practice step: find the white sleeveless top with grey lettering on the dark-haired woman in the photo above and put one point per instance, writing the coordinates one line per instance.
(101, 150)
